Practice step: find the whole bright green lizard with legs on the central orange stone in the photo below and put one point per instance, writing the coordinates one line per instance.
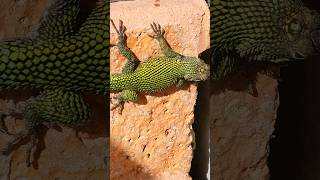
(154, 74)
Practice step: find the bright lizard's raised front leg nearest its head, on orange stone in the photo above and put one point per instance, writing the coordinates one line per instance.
(165, 48)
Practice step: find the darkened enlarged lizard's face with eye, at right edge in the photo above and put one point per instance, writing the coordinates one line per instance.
(302, 30)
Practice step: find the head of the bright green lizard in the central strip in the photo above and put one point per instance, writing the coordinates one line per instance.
(195, 69)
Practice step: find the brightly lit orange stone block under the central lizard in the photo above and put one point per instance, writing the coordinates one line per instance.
(152, 139)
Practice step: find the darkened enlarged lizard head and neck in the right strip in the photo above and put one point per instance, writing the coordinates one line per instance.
(259, 31)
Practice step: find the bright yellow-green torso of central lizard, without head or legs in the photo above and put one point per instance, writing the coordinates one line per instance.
(151, 76)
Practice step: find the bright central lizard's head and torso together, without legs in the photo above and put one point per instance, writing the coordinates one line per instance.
(156, 74)
